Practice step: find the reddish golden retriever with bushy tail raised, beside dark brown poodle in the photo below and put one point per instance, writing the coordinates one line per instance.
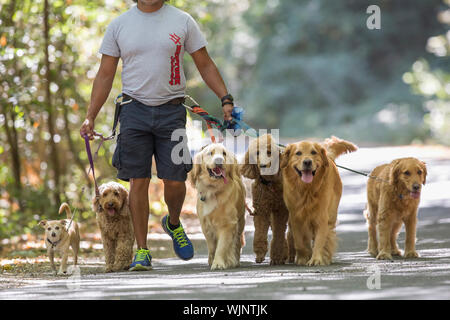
(312, 189)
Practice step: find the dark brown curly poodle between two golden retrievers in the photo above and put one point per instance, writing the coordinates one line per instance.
(261, 164)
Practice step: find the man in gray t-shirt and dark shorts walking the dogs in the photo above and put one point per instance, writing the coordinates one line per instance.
(151, 39)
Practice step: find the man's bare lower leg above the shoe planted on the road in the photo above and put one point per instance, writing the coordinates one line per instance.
(139, 208)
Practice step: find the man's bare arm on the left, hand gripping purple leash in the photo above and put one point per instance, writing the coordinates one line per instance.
(100, 90)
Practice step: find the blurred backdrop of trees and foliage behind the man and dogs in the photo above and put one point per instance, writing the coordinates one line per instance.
(310, 68)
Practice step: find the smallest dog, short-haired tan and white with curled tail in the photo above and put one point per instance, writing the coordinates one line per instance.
(59, 238)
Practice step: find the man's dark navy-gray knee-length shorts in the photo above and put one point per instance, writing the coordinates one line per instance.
(146, 131)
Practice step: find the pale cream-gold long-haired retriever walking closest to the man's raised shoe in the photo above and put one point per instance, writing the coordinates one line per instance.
(220, 204)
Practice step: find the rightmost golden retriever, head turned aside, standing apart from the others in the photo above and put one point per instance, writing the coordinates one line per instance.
(393, 199)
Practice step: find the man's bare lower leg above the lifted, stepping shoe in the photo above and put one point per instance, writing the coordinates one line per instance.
(174, 194)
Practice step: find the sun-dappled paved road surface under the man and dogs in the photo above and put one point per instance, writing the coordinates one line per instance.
(347, 278)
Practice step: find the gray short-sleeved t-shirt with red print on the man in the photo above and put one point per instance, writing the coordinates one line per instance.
(152, 47)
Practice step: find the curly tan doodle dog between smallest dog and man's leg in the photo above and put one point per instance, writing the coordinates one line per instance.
(114, 221)
